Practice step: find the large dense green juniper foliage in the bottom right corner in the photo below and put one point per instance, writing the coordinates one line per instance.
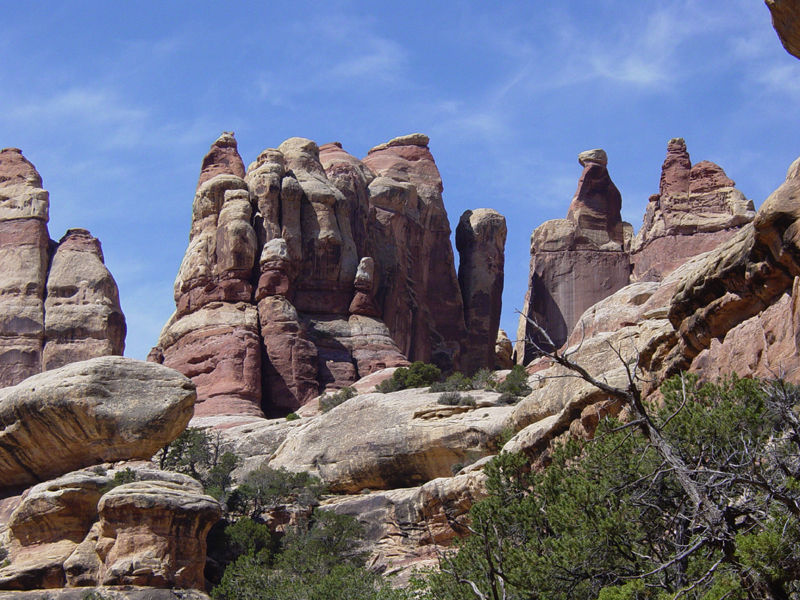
(609, 518)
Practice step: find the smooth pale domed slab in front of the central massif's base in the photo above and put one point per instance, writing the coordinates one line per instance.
(393, 440)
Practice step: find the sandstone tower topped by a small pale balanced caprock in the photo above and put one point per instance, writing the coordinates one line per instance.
(577, 261)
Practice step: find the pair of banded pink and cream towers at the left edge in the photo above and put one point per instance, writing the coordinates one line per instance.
(49, 319)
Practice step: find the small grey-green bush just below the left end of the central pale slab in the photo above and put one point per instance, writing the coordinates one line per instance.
(266, 488)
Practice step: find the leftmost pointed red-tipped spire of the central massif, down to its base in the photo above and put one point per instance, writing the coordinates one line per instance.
(213, 338)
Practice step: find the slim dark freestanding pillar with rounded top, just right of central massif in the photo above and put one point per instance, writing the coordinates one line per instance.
(481, 240)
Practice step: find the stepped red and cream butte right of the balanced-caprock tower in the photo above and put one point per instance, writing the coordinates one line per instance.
(697, 208)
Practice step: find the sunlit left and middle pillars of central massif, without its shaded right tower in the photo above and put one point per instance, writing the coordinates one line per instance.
(276, 344)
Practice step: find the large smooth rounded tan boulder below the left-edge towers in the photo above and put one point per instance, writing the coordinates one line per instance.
(104, 409)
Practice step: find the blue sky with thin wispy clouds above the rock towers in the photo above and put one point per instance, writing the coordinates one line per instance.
(116, 104)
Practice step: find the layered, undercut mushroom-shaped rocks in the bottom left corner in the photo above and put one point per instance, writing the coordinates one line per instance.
(75, 532)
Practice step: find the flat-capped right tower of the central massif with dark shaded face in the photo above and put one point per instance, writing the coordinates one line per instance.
(419, 294)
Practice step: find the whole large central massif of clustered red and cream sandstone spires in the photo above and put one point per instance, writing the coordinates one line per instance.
(313, 269)
